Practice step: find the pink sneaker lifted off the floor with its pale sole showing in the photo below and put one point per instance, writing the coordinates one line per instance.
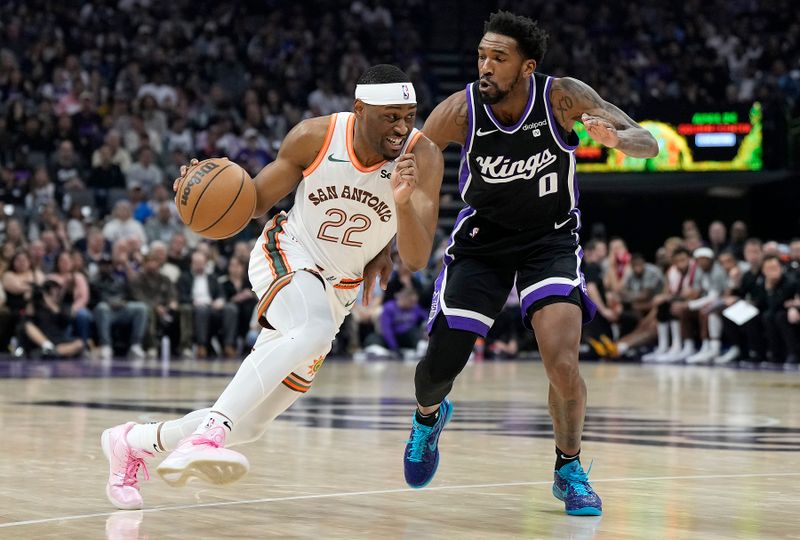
(205, 457)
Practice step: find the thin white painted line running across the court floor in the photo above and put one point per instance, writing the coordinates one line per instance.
(384, 492)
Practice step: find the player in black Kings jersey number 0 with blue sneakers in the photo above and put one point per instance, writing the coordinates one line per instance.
(521, 221)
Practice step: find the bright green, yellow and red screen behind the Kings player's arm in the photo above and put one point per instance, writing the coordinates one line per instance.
(728, 139)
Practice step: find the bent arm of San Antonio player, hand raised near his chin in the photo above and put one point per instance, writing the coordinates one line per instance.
(416, 181)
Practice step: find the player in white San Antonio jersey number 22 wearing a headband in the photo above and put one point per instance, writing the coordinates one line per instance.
(360, 179)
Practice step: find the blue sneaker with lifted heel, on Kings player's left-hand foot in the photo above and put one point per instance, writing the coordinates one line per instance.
(422, 448)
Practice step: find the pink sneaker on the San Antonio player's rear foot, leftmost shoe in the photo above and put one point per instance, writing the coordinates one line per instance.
(124, 463)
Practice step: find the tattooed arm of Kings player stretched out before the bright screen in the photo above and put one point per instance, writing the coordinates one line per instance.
(575, 101)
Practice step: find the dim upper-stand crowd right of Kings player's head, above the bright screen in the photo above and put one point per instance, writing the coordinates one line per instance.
(691, 52)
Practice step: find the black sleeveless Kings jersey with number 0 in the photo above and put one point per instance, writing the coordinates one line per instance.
(522, 176)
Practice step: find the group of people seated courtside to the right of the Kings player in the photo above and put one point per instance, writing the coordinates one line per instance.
(715, 298)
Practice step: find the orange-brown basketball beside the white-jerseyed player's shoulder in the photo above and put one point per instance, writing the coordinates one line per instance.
(216, 198)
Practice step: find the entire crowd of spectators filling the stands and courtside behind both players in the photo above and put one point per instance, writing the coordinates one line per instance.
(100, 106)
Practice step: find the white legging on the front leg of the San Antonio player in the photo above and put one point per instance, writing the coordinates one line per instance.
(302, 314)
